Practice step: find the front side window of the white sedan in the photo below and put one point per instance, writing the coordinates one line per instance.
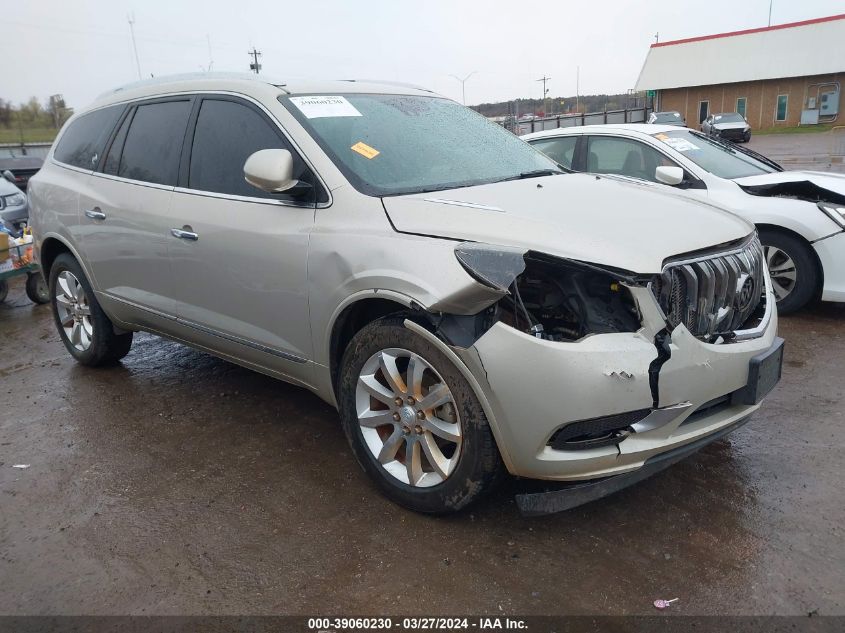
(626, 157)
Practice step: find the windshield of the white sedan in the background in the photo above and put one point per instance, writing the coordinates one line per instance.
(717, 158)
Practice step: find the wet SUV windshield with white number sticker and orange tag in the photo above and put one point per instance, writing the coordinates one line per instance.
(397, 144)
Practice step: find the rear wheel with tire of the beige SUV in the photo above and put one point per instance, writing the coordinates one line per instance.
(84, 328)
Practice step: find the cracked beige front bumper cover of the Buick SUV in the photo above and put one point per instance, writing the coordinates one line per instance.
(534, 387)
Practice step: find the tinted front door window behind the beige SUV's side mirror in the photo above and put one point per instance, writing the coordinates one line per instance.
(226, 134)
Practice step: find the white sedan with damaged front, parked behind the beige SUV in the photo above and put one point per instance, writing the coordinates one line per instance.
(800, 215)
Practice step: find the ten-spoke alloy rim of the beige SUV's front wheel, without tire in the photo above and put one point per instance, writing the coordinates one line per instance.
(408, 417)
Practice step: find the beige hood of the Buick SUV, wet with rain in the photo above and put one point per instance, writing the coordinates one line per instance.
(602, 220)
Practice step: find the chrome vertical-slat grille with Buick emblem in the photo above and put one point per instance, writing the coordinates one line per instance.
(713, 295)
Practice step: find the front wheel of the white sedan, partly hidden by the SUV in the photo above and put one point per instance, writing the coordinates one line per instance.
(793, 269)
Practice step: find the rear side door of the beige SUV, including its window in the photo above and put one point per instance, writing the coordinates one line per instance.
(125, 212)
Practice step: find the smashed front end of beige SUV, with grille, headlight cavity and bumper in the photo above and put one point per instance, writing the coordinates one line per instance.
(590, 371)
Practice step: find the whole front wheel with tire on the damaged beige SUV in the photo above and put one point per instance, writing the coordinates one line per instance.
(414, 423)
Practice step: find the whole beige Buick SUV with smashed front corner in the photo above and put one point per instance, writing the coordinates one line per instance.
(468, 306)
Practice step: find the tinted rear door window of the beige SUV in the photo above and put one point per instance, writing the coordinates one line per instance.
(154, 142)
